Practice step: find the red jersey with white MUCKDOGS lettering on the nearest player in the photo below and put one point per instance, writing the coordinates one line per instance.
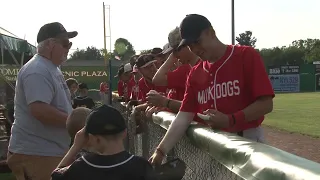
(229, 85)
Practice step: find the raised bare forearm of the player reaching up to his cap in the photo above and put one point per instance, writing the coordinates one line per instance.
(160, 78)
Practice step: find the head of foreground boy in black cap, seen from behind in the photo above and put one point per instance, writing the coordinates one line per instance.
(106, 129)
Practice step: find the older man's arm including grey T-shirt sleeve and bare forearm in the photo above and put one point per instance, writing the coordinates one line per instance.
(39, 93)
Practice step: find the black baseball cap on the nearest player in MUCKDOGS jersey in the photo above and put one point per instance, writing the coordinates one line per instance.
(191, 28)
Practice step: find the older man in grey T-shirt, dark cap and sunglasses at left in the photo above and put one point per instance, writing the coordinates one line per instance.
(39, 137)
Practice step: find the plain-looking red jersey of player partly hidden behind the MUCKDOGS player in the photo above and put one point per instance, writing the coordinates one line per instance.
(177, 81)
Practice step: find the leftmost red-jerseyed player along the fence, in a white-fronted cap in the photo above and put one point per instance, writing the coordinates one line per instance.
(125, 81)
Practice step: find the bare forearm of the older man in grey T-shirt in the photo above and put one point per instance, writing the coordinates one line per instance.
(48, 114)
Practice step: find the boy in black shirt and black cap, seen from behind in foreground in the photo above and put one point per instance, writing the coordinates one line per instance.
(103, 133)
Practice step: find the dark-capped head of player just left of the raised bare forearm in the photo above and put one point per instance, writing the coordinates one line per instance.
(146, 66)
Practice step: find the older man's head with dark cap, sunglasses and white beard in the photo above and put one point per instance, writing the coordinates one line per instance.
(53, 42)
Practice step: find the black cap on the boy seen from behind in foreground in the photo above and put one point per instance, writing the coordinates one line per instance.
(105, 120)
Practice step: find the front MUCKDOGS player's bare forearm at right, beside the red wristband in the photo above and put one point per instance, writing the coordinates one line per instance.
(260, 107)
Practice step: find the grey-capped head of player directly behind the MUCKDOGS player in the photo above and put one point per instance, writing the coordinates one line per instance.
(183, 53)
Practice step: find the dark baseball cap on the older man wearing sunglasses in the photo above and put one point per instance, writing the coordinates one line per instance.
(54, 30)
